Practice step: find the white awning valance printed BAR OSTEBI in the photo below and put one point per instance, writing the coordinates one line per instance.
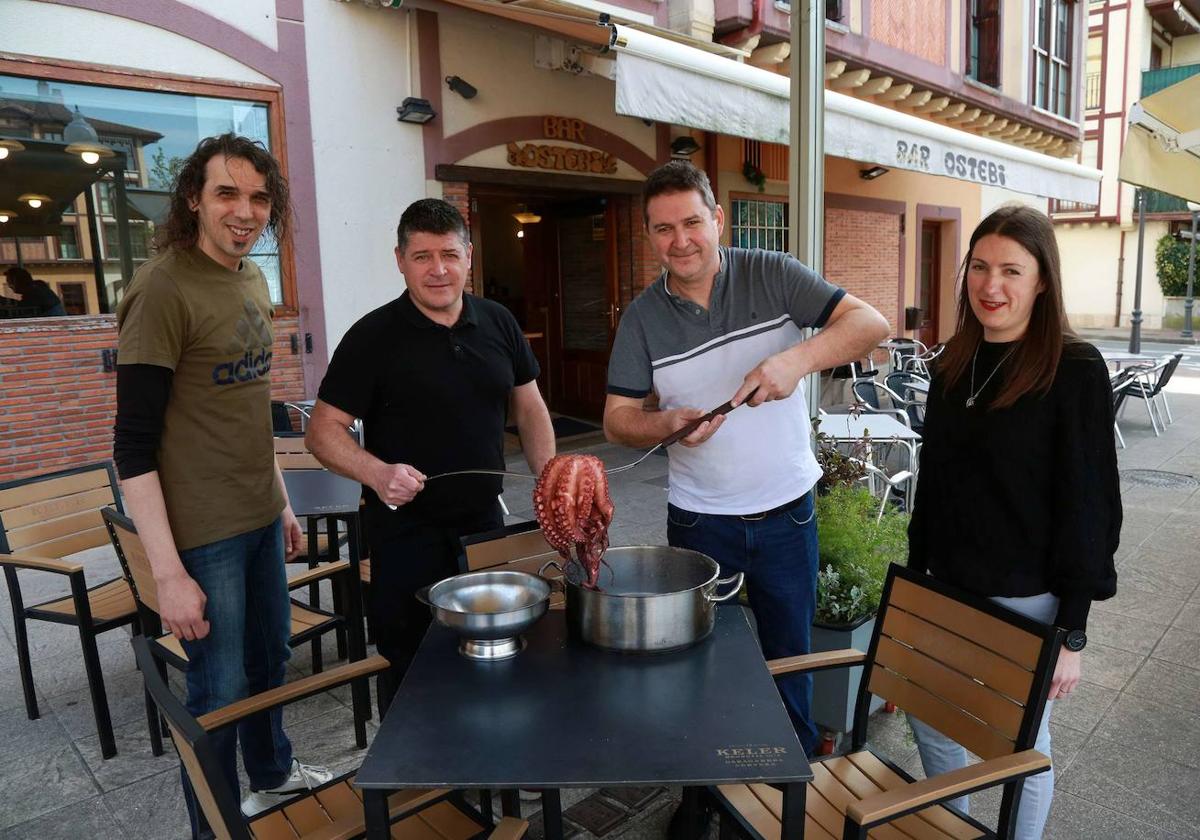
(674, 83)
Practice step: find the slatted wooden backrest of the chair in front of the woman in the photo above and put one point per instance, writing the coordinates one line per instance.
(977, 673)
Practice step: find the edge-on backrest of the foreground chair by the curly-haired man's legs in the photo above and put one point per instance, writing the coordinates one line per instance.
(196, 753)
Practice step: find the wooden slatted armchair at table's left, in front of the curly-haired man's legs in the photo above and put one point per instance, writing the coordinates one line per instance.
(331, 812)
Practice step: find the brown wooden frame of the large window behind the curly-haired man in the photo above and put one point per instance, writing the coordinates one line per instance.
(63, 70)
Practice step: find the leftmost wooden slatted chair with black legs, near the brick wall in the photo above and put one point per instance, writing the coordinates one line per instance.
(44, 520)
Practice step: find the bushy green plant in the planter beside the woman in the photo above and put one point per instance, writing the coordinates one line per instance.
(855, 553)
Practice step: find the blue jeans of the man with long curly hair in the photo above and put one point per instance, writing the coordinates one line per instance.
(247, 652)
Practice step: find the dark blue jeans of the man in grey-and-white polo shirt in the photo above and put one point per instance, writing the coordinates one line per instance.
(779, 559)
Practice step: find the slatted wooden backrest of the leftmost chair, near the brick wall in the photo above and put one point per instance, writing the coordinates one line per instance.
(57, 514)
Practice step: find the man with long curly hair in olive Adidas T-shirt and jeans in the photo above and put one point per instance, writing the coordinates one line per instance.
(194, 447)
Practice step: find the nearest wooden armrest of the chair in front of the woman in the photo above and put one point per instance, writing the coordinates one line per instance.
(890, 805)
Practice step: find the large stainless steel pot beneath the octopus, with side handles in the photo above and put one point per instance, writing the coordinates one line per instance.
(650, 599)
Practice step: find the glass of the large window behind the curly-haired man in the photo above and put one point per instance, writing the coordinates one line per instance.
(151, 133)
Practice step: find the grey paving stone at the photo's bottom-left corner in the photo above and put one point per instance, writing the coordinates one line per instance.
(44, 782)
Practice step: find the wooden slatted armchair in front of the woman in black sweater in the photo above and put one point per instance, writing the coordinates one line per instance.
(975, 671)
